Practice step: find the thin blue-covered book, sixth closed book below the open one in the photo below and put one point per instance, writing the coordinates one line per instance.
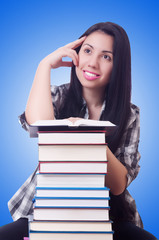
(71, 202)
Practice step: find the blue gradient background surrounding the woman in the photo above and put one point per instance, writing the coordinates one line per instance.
(30, 30)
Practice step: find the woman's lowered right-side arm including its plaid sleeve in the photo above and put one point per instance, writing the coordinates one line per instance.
(123, 166)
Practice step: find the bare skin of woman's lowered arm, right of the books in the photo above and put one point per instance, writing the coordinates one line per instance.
(116, 179)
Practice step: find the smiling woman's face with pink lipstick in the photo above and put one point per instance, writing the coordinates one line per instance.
(95, 60)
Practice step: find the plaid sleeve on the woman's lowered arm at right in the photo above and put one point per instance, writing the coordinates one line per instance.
(128, 153)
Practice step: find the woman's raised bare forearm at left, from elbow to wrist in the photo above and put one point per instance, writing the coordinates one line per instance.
(39, 105)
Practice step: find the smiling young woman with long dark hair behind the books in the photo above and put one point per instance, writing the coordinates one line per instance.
(100, 89)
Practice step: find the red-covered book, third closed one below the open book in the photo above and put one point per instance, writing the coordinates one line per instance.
(73, 167)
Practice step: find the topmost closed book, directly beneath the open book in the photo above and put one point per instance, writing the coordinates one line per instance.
(71, 137)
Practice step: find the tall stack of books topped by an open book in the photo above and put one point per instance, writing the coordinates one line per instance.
(71, 200)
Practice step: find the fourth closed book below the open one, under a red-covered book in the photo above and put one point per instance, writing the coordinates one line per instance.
(71, 180)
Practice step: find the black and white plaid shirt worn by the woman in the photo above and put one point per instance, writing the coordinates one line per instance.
(123, 206)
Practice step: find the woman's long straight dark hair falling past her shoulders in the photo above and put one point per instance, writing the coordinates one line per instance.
(118, 91)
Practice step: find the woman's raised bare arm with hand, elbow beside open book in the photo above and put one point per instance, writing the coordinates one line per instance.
(39, 105)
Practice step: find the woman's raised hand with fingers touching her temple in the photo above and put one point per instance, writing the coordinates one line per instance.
(55, 58)
